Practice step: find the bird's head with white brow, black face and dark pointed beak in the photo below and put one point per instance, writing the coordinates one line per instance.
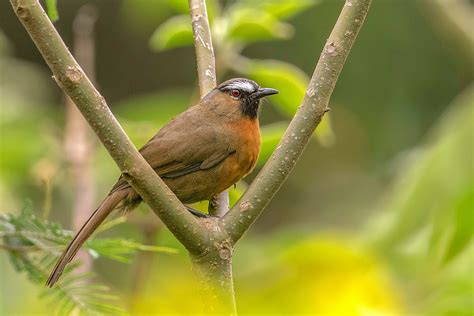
(244, 93)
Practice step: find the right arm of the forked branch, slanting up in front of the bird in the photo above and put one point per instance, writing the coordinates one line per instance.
(307, 118)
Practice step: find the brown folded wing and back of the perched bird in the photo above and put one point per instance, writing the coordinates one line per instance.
(183, 146)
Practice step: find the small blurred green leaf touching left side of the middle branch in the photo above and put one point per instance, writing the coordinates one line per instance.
(174, 32)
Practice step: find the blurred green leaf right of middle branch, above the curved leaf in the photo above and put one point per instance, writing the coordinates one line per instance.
(247, 25)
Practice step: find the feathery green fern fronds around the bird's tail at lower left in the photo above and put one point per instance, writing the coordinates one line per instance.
(35, 244)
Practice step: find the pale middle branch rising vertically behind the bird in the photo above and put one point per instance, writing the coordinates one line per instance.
(206, 67)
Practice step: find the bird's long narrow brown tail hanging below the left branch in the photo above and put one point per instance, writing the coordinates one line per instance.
(99, 215)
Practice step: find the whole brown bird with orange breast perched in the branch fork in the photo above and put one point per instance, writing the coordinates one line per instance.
(198, 154)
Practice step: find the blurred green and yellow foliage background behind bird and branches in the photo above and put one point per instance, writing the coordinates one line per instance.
(377, 217)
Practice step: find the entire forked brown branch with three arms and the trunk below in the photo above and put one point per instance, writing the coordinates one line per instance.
(210, 241)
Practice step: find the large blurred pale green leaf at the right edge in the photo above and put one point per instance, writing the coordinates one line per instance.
(432, 193)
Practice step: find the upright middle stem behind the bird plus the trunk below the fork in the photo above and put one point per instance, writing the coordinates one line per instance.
(214, 268)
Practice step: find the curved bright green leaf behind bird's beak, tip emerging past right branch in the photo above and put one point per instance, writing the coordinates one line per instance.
(291, 82)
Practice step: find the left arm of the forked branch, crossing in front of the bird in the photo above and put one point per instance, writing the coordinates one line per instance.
(71, 78)
